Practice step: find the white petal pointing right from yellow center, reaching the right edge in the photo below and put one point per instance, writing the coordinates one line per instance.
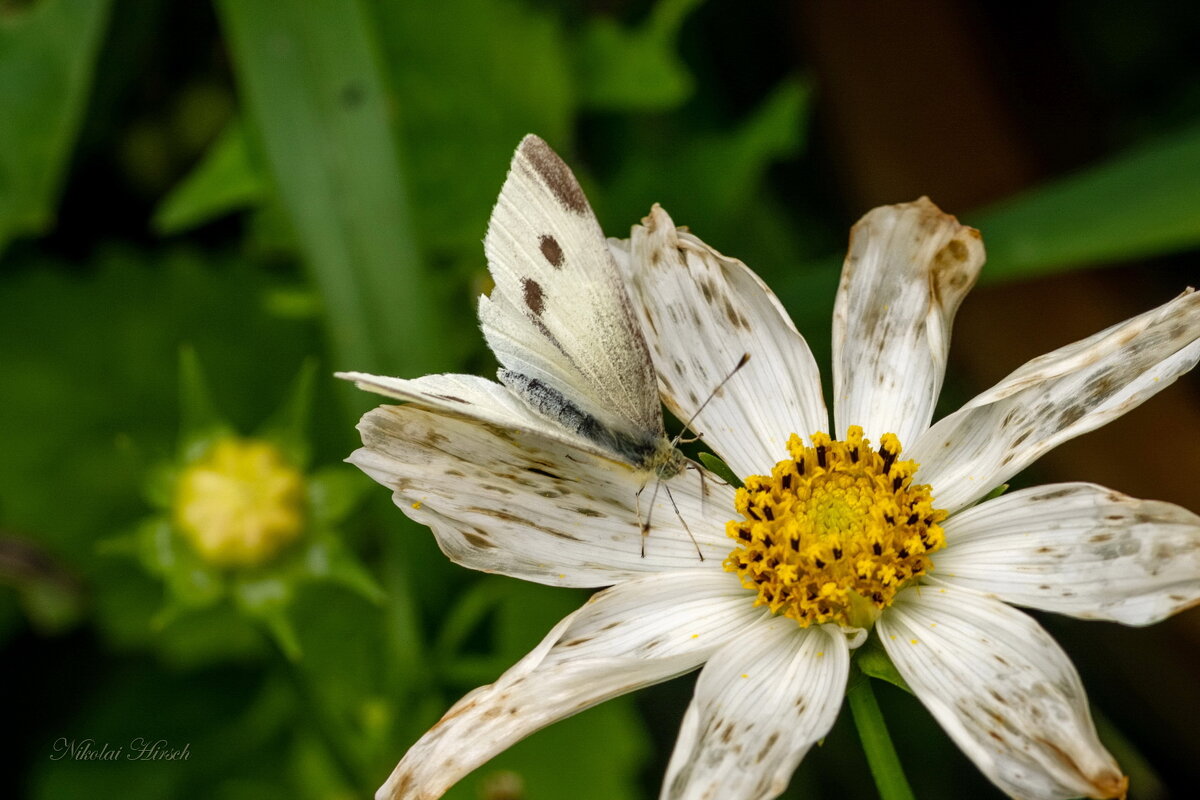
(1079, 550)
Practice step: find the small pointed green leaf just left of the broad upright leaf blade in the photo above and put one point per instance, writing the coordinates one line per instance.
(226, 181)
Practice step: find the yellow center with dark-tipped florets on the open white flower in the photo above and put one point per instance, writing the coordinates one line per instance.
(836, 531)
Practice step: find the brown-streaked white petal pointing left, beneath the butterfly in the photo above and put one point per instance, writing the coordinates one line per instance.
(527, 506)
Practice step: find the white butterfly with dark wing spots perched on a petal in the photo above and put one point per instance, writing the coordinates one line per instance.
(562, 327)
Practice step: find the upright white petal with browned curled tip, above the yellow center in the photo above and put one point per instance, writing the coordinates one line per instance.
(908, 270)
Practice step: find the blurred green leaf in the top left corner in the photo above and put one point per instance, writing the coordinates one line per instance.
(47, 55)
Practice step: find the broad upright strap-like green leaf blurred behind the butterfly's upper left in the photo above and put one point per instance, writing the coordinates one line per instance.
(314, 91)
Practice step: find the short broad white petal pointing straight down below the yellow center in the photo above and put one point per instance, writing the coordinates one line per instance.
(761, 702)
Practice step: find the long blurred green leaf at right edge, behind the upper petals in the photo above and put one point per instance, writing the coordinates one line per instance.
(1142, 203)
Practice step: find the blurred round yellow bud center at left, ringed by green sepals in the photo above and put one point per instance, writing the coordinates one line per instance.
(241, 504)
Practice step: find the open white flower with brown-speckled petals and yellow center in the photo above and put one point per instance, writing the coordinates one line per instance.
(502, 498)
